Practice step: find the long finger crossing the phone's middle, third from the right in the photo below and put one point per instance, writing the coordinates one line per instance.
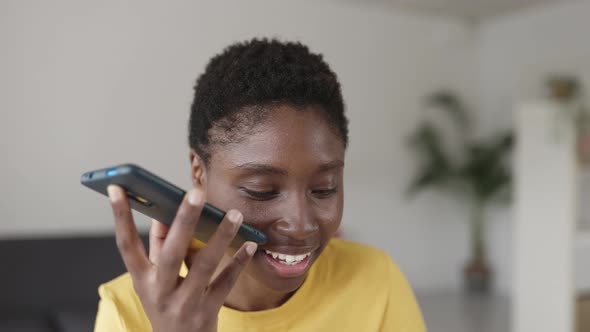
(178, 239)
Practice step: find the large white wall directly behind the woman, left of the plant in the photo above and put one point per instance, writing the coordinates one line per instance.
(90, 84)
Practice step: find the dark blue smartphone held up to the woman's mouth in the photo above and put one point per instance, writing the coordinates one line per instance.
(159, 199)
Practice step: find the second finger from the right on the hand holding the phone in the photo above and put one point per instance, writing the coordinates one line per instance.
(205, 261)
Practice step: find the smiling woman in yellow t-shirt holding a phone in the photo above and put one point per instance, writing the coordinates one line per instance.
(268, 136)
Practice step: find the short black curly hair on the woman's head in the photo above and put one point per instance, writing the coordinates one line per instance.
(241, 82)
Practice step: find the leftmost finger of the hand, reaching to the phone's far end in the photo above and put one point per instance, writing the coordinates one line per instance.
(128, 241)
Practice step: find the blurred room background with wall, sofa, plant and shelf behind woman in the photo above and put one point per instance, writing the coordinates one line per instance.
(468, 160)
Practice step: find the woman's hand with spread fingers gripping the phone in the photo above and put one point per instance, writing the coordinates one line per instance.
(170, 302)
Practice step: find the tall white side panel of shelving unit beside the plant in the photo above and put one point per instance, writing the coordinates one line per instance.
(546, 237)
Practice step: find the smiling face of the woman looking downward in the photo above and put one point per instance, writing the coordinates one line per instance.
(286, 179)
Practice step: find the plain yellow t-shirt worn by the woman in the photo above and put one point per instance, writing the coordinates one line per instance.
(351, 287)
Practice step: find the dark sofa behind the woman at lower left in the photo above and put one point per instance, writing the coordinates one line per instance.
(50, 284)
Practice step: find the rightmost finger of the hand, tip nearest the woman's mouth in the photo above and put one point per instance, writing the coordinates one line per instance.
(222, 285)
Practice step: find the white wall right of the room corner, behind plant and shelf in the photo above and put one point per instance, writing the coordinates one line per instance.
(515, 53)
